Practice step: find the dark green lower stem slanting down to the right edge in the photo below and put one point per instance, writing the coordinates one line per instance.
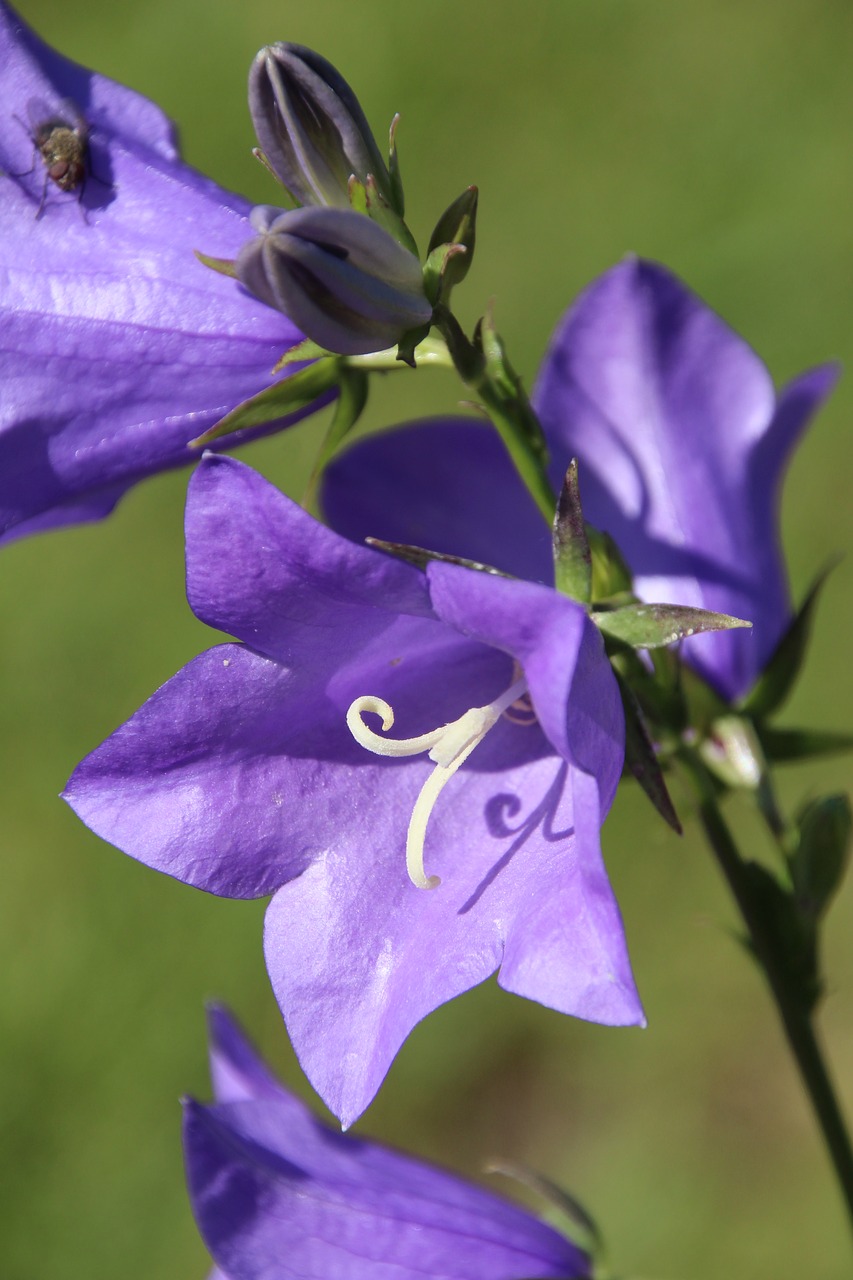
(797, 1022)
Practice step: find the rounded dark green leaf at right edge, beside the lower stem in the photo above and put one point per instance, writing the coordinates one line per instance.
(823, 853)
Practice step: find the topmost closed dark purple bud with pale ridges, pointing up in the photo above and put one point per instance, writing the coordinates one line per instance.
(312, 129)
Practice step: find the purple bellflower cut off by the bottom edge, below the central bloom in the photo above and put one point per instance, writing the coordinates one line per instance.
(277, 1195)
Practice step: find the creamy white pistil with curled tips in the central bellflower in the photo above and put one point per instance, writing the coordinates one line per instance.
(449, 747)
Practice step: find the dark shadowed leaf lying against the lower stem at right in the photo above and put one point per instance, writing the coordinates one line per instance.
(793, 936)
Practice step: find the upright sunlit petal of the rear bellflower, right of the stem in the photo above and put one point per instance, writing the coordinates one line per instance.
(668, 412)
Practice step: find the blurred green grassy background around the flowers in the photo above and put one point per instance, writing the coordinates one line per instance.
(714, 138)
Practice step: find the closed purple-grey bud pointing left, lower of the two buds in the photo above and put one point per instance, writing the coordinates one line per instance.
(339, 276)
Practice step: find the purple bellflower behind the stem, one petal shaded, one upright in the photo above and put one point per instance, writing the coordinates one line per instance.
(682, 442)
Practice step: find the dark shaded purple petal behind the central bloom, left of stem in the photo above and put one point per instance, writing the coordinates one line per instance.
(448, 486)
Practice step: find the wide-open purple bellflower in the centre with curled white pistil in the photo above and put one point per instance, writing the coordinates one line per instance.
(261, 770)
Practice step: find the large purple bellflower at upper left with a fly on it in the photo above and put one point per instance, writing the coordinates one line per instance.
(117, 346)
